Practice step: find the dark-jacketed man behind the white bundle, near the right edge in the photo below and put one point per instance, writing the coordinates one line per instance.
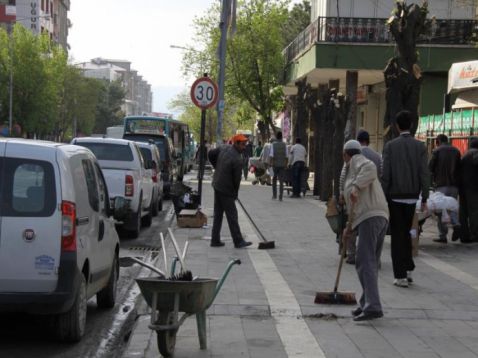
(445, 170)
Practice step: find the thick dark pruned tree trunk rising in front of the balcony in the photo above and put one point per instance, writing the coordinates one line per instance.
(402, 73)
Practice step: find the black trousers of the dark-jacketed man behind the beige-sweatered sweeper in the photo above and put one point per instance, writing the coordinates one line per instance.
(401, 217)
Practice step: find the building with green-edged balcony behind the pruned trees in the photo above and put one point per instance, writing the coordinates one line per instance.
(351, 35)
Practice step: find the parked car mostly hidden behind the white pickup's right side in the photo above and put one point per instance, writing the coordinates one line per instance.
(150, 154)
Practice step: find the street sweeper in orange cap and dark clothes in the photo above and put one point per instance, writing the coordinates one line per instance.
(227, 161)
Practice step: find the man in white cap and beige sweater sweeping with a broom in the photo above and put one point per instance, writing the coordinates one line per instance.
(368, 215)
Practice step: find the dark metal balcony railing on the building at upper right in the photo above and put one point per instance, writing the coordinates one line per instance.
(373, 30)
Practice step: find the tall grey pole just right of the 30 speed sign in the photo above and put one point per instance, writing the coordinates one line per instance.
(226, 9)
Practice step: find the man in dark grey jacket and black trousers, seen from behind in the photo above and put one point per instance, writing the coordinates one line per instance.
(404, 175)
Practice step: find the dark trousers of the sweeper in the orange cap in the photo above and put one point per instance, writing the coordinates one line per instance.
(225, 204)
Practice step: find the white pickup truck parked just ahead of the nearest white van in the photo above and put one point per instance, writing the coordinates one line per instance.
(126, 176)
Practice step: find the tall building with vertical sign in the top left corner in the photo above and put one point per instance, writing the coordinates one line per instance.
(39, 16)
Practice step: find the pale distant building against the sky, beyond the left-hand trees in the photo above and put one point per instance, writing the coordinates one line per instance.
(139, 97)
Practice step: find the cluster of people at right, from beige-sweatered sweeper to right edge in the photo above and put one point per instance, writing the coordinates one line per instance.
(389, 201)
